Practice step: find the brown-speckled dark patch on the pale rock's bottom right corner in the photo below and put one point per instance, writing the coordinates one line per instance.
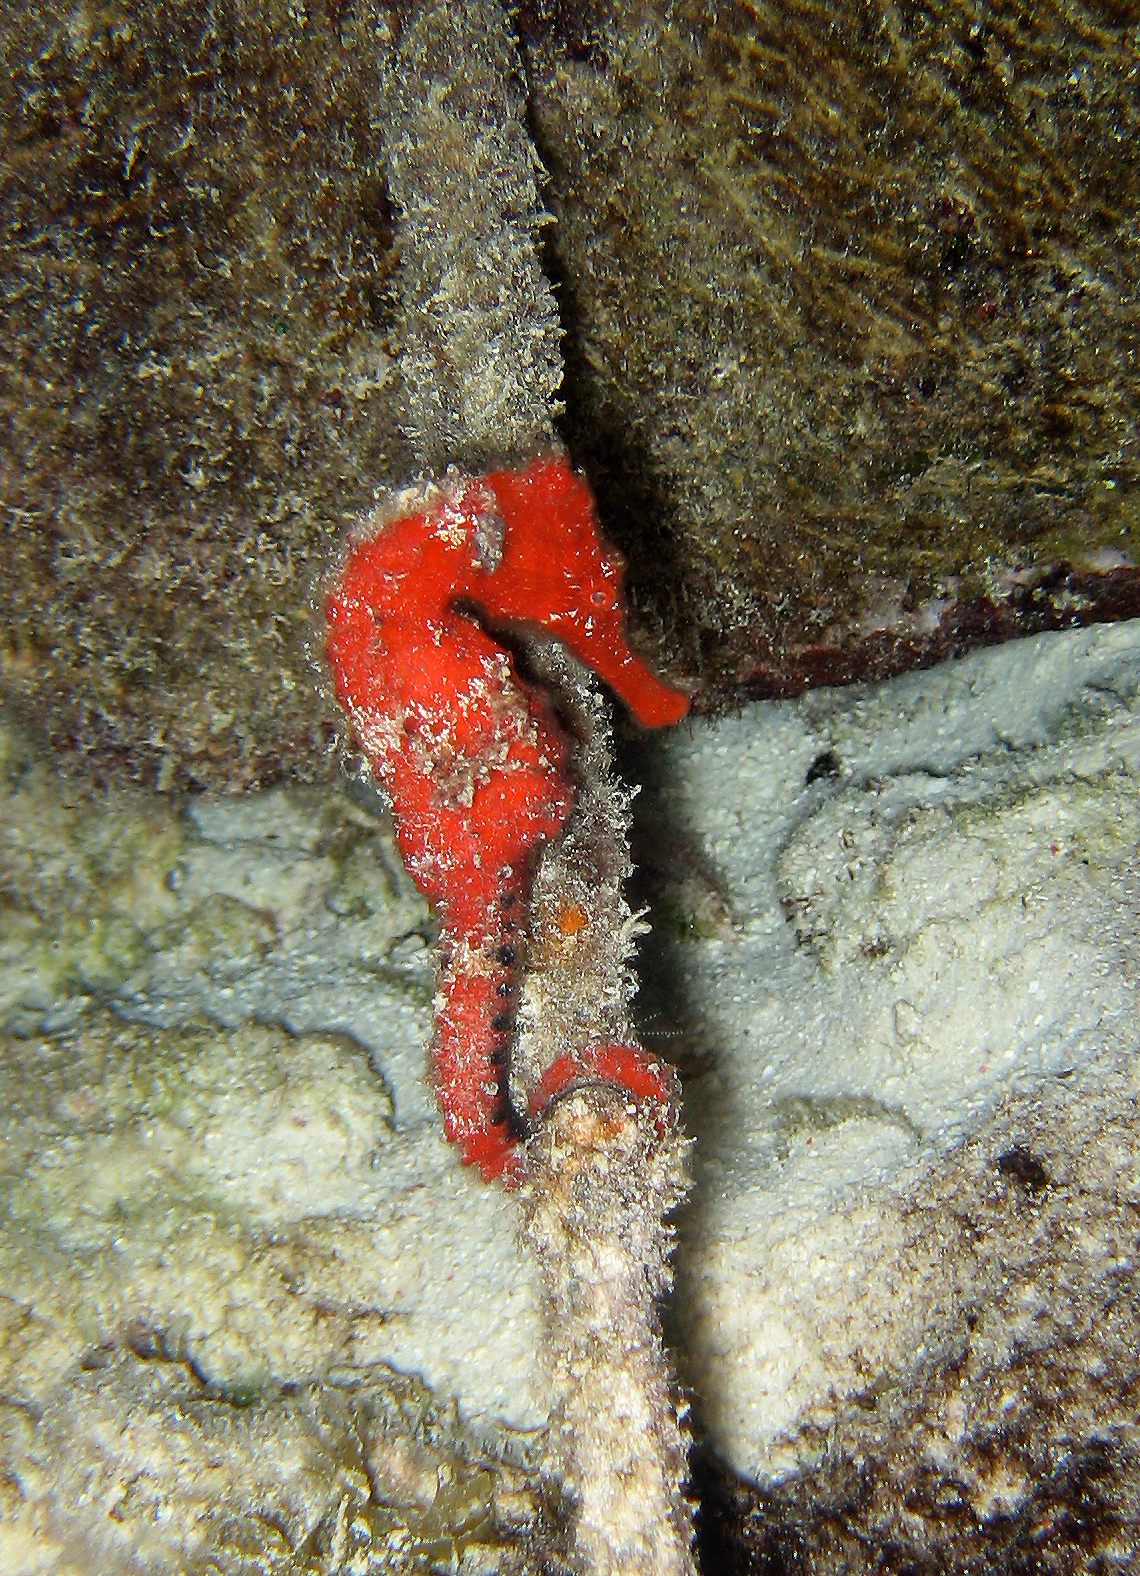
(1002, 1433)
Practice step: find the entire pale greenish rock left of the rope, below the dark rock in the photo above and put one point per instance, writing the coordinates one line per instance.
(226, 1227)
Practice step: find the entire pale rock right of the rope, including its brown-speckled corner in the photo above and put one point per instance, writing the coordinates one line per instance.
(907, 1298)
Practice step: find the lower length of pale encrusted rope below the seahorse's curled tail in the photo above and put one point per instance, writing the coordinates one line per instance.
(602, 1184)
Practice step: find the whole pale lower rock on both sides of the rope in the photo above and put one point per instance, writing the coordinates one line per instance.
(896, 954)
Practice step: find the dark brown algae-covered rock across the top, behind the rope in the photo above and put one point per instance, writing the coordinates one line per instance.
(851, 338)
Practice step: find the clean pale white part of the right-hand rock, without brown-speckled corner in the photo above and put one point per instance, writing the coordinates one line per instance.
(939, 921)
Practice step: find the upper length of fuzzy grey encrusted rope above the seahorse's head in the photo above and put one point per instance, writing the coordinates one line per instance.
(482, 365)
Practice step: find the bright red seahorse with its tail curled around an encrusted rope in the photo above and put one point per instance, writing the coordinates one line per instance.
(472, 757)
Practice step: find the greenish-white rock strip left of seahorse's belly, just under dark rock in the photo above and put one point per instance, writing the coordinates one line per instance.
(102, 891)
